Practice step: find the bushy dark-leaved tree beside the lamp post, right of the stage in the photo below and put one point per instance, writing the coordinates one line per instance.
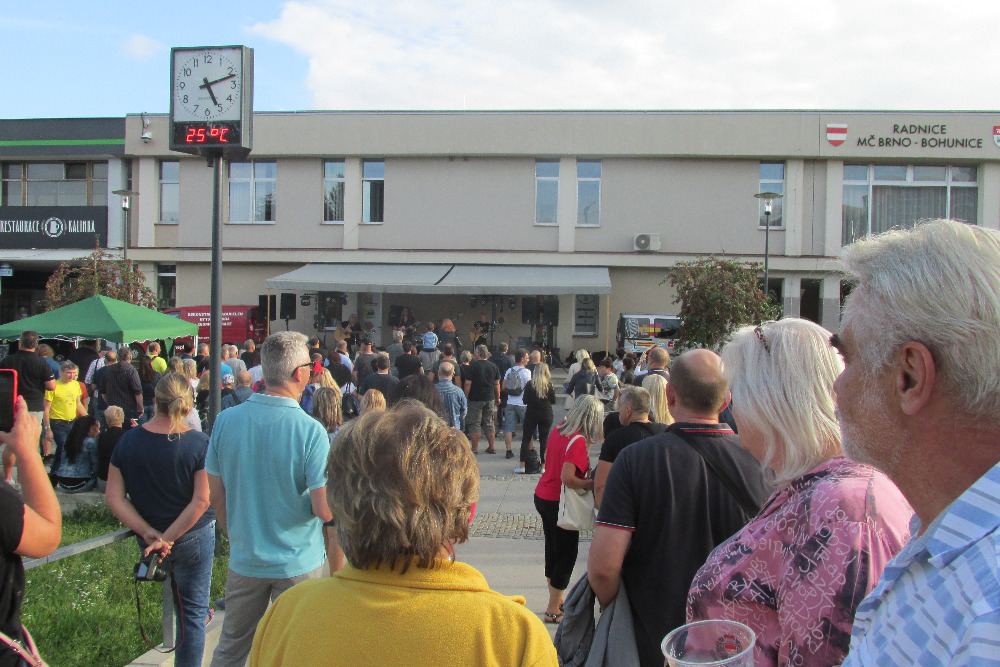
(717, 295)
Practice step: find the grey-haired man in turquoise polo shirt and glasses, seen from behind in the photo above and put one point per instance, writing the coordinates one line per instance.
(266, 466)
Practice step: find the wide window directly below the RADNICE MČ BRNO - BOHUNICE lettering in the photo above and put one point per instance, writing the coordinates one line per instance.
(878, 198)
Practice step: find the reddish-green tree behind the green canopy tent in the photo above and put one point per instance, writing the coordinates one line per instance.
(98, 273)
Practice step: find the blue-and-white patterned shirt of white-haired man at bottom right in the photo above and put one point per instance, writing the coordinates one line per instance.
(938, 601)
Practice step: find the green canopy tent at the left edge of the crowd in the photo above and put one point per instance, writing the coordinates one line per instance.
(101, 317)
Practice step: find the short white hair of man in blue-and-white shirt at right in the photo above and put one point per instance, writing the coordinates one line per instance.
(938, 284)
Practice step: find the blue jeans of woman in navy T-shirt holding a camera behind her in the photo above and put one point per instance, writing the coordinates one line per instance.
(191, 558)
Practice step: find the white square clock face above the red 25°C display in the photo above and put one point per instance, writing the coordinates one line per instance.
(207, 84)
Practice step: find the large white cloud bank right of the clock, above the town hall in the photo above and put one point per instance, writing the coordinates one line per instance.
(636, 54)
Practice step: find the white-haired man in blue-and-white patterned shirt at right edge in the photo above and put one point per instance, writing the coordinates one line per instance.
(919, 398)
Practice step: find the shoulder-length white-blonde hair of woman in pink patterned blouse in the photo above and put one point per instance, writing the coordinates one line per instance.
(784, 391)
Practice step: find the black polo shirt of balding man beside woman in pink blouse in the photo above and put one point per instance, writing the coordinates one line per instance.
(678, 511)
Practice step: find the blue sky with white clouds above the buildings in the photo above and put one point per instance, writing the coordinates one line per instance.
(83, 59)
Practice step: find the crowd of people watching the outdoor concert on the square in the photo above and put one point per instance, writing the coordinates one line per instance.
(839, 494)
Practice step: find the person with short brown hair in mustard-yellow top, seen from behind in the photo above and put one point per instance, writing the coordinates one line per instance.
(402, 485)
